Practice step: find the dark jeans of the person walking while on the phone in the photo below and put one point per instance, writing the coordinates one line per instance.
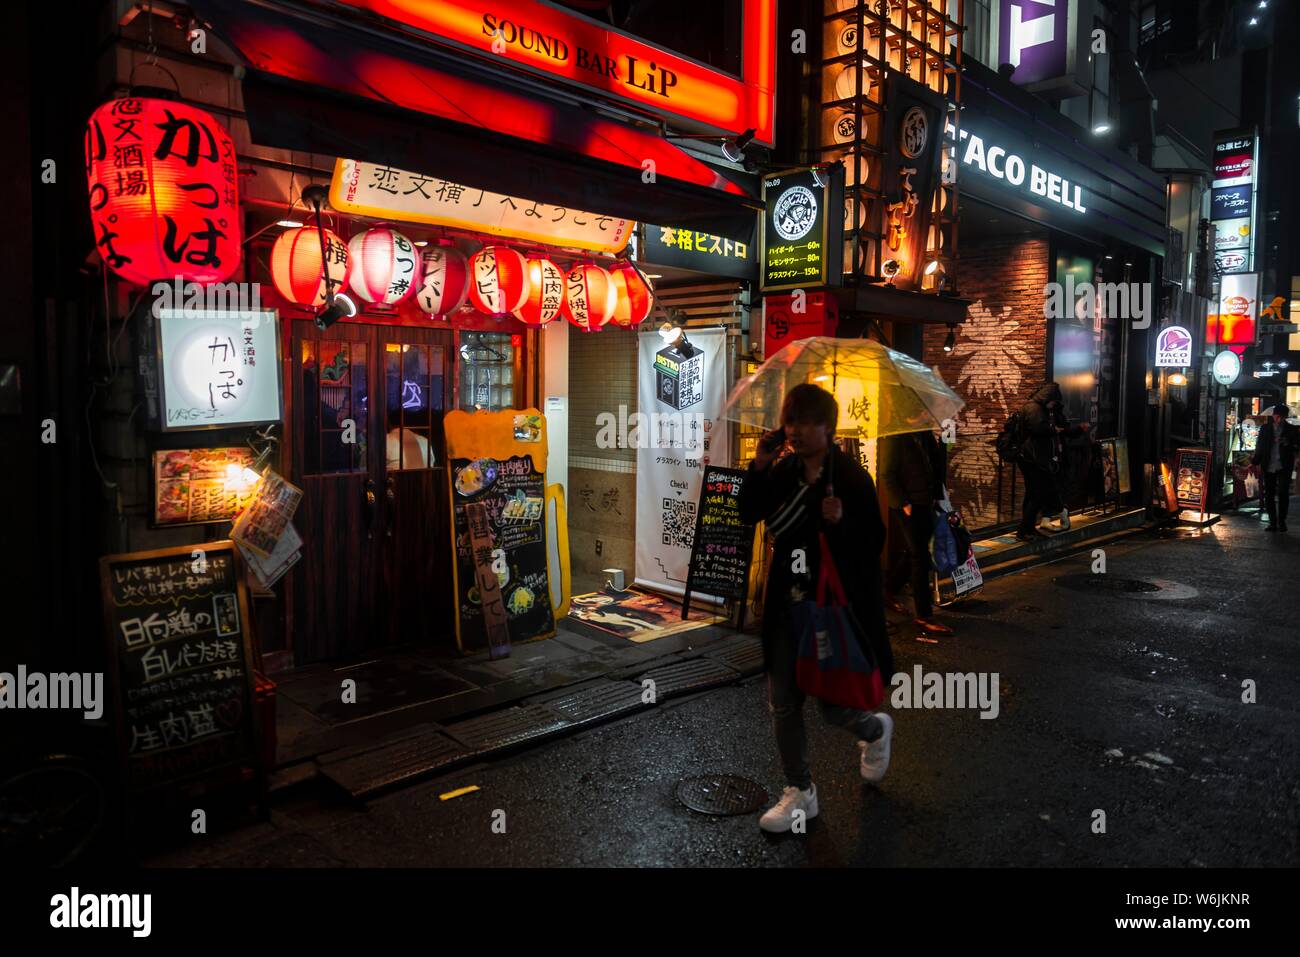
(786, 703)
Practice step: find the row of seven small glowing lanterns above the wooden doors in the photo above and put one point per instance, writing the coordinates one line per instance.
(383, 266)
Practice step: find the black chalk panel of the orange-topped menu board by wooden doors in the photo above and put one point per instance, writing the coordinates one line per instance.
(513, 495)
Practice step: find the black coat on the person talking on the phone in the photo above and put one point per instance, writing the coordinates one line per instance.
(856, 543)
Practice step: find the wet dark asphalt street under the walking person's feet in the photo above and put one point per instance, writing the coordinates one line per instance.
(1128, 703)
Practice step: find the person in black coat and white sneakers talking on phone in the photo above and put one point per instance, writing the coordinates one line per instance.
(816, 488)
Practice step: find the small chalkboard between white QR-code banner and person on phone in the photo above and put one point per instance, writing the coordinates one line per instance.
(722, 545)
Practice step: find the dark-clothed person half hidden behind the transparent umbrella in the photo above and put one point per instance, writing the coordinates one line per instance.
(913, 469)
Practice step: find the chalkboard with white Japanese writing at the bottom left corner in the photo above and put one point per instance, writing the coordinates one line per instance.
(181, 665)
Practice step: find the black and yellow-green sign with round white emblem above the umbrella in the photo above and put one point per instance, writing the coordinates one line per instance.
(801, 223)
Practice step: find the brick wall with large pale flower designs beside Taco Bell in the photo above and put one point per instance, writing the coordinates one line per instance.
(999, 361)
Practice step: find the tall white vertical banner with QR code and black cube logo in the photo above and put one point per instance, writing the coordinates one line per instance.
(682, 388)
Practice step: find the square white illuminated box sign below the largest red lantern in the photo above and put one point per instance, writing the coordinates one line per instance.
(220, 369)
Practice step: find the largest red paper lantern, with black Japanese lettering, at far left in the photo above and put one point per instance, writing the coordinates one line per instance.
(164, 193)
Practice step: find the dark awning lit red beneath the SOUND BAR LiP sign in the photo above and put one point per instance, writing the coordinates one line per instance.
(345, 89)
